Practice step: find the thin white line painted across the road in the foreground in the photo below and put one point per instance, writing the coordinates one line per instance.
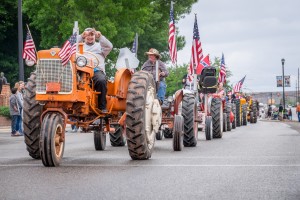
(101, 165)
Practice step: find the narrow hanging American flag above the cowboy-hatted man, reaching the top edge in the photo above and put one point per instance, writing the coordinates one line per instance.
(172, 37)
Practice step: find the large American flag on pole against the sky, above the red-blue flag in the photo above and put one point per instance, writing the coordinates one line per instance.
(197, 53)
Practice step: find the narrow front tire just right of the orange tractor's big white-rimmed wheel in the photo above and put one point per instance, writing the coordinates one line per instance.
(178, 133)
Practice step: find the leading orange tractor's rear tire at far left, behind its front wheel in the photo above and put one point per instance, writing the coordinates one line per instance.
(31, 118)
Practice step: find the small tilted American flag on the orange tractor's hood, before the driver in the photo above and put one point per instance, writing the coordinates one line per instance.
(68, 49)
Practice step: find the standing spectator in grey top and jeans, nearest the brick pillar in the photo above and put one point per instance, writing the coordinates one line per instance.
(14, 112)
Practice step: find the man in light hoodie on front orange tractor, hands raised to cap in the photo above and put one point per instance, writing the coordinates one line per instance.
(101, 49)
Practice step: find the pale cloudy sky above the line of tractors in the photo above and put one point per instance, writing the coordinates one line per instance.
(254, 36)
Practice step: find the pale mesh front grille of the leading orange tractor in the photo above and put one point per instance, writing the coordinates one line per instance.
(51, 70)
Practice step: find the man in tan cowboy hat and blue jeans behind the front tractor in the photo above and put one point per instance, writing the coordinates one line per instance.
(149, 65)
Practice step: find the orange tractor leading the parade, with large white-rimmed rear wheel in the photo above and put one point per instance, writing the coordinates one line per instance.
(55, 94)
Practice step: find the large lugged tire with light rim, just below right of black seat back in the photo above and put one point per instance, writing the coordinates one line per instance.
(217, 117)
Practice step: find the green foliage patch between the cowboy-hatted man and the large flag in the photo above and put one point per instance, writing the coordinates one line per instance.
(174, 80)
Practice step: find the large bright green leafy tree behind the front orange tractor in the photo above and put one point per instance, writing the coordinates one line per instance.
(117, 20)
